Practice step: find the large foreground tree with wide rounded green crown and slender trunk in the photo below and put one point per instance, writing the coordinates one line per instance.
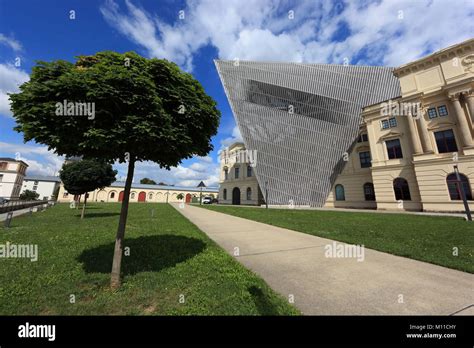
(144, 110)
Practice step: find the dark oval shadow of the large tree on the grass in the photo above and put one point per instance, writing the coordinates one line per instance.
(147, 254)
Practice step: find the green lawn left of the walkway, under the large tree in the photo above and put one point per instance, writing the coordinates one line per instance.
(169, 257)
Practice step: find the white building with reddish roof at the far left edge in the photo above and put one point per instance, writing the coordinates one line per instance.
(12, 173)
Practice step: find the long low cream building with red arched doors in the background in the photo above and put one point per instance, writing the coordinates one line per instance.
(142, 193)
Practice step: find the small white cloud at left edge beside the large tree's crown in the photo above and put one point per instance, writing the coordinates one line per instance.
(10, 79)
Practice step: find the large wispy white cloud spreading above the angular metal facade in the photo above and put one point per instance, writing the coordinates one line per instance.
(382, 32)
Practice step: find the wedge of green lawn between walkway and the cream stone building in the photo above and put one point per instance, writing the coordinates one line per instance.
(426, 238)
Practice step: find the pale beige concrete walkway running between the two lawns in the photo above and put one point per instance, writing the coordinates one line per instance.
(294, 264)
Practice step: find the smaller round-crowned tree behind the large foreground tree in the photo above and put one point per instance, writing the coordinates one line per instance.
(86, 175)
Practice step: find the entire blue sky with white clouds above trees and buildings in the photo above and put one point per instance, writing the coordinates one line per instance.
(193, 33)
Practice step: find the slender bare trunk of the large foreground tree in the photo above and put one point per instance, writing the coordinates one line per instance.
(118, 251)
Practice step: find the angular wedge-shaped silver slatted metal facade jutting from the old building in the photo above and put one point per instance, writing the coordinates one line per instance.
(301, 119)
